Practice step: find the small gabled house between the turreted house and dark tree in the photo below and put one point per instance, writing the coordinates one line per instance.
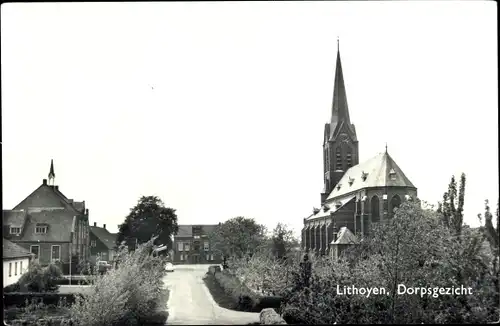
(102, 243)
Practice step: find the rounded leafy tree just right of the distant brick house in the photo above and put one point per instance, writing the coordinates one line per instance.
(238, 237)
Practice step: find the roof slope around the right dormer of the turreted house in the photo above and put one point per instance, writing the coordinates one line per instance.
(60, 225)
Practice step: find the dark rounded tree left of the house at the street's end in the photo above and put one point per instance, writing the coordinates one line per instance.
(149, 218)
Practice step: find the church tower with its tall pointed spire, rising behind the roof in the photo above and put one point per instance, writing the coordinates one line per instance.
(340, 144)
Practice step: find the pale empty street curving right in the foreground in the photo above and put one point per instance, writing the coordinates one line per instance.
(190, 302)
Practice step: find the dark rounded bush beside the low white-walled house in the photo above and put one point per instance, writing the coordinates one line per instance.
(40, 279)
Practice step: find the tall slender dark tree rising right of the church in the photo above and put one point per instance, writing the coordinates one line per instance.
(452, 206)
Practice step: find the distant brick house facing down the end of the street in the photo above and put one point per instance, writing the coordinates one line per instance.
(192, 246)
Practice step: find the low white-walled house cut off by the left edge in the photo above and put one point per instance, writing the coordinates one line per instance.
(16, 260)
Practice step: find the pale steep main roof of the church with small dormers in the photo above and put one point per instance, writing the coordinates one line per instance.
(379, 171)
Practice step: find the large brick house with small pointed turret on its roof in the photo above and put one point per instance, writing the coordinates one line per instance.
(49, 225)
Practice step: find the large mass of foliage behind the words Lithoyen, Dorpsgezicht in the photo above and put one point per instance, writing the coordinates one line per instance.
(415, 249)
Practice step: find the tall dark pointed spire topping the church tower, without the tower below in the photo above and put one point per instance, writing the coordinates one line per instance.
(340, 110)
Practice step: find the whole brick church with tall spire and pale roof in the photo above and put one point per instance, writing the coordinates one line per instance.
(355, 195)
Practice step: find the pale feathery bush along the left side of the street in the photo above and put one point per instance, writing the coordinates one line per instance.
(128, 294)
